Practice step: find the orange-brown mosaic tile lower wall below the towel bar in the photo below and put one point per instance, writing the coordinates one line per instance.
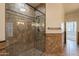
(54, 44)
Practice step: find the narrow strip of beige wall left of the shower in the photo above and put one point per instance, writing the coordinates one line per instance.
(2, 22)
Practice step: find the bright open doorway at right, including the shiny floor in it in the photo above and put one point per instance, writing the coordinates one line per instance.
(71, 38)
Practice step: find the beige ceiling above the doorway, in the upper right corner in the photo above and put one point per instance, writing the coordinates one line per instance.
(70, 7)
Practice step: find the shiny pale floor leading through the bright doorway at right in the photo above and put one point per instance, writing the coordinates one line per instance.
(71, 47)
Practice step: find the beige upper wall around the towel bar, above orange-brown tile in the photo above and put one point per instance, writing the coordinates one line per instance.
(54, 17)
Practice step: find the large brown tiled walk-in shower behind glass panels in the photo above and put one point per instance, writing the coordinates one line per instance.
(25, 30)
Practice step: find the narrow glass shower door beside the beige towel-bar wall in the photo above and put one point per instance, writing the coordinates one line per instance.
(40, 33)
